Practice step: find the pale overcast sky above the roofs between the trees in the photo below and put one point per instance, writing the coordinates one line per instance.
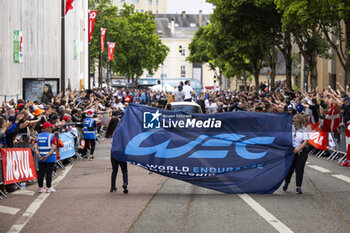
(190, 6)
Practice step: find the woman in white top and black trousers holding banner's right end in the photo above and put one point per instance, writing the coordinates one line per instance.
(300, 140)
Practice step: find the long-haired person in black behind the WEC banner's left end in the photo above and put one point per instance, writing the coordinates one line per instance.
(123, 165)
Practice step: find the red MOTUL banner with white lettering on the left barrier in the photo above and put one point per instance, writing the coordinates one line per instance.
(17, 165)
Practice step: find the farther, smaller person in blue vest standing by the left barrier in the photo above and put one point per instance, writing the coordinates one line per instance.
(89, 134)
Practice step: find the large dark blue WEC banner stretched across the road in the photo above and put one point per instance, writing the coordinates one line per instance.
(237, 152)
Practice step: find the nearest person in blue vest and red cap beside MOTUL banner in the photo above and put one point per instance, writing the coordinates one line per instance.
(45, 149)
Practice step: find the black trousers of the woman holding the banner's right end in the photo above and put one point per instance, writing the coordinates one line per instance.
(298, 165)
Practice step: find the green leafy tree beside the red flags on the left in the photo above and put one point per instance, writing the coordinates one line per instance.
(138, 47)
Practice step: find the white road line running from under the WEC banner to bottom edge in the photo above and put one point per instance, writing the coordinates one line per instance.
(277, 224)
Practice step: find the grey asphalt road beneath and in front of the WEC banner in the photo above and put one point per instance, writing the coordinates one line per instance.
(83, 203)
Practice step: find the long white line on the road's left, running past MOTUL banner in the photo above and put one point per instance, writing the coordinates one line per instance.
(28, 214)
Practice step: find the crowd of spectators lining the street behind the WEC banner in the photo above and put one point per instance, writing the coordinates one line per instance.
(22, 120)
